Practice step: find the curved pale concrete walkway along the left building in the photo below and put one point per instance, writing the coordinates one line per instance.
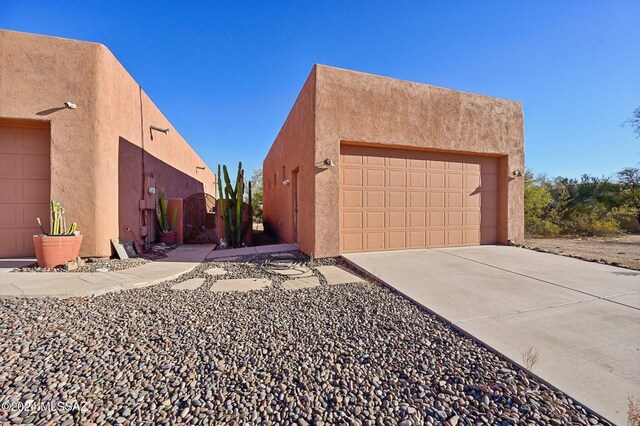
(83, 284)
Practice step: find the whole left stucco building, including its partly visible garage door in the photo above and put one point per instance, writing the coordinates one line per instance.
(99, 154)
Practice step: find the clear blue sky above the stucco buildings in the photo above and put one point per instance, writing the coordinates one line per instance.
(227, 73)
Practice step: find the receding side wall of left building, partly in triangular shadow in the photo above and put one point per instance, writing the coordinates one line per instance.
(126, 114)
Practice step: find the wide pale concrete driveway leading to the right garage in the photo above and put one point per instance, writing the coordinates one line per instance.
(583, 318)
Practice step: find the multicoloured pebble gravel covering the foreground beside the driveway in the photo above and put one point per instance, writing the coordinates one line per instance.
(344, 354)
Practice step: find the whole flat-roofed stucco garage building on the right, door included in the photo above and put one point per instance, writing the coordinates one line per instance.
(368, 163)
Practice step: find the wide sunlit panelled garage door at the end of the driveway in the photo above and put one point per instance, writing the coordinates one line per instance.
(397, 199)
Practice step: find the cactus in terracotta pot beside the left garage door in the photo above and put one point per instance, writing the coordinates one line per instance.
(60, 244)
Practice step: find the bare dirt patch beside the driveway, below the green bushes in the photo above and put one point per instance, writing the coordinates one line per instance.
(623, 249)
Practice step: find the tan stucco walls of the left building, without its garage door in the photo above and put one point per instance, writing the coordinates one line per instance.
(37, 75)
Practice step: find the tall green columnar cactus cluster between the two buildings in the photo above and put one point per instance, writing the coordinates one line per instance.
(231, 198)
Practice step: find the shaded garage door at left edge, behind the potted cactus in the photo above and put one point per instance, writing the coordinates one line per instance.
(24, 187)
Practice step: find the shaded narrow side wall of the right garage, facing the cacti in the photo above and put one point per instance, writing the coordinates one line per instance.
(293, 150)
